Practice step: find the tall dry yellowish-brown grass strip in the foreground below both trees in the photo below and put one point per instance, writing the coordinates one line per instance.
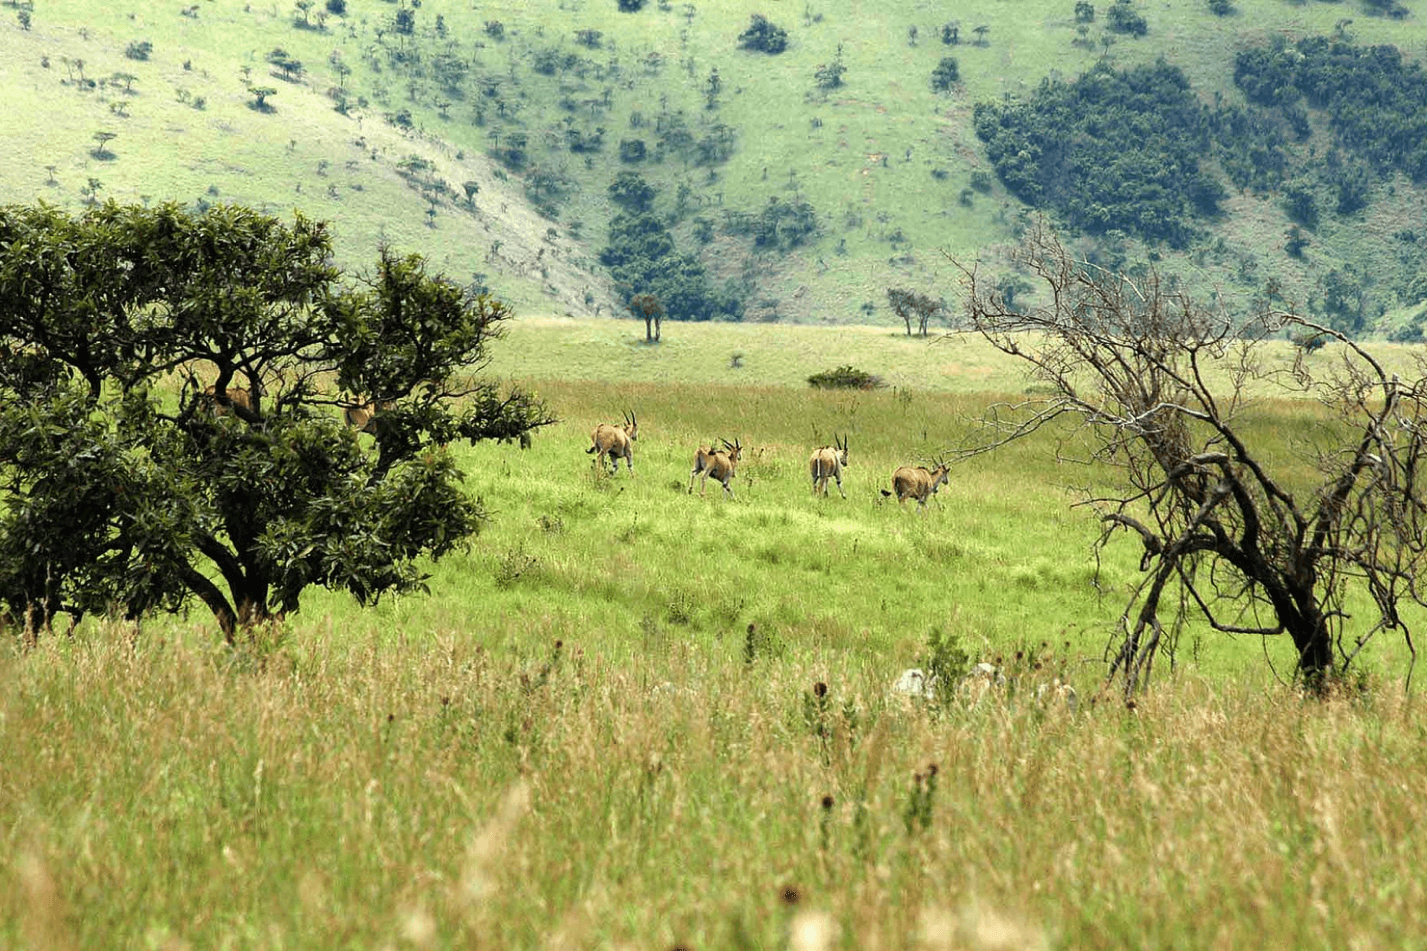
(353, 793)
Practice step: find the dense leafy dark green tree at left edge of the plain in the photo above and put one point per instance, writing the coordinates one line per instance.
(126, 488)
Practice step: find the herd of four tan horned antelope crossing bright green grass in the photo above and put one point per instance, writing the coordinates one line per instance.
(611, 443)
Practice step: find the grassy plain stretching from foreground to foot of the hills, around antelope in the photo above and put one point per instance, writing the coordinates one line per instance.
(639, 718)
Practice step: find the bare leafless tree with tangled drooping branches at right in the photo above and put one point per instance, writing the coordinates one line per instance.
(1235, 529)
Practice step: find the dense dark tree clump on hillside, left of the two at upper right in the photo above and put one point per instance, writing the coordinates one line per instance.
(1064, 149)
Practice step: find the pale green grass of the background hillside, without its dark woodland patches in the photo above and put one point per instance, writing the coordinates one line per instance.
(885, 163)
